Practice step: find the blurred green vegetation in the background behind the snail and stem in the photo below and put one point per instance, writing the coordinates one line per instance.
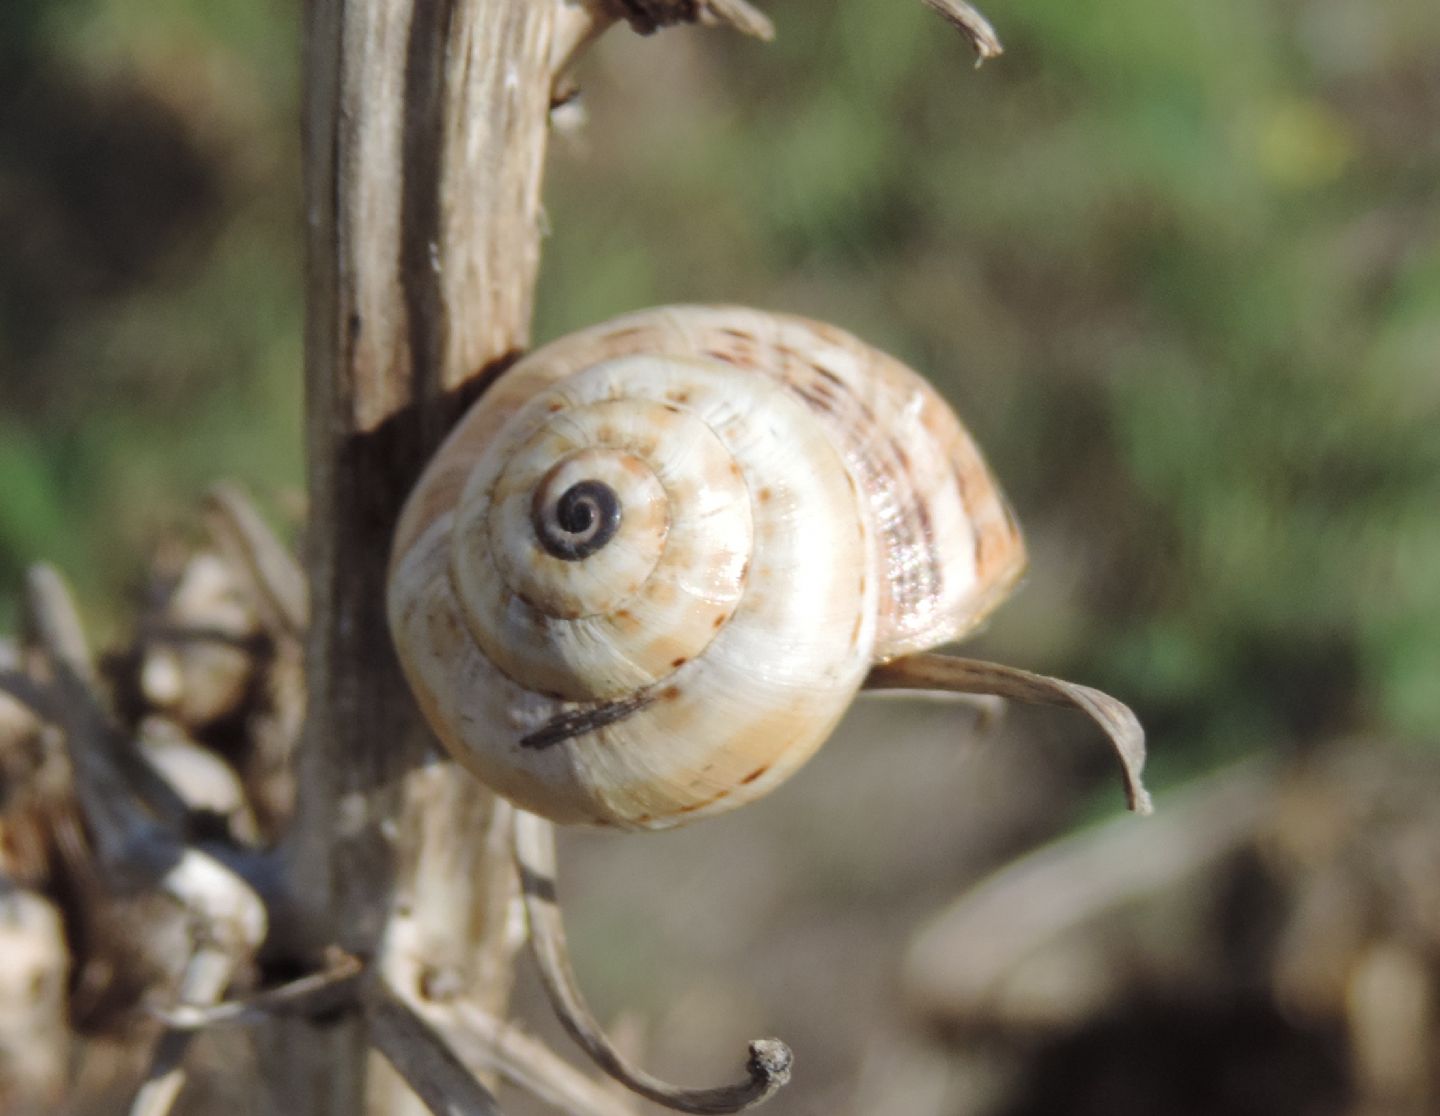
(1179, 266)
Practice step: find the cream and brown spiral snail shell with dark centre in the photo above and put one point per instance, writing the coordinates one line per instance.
(652, 567)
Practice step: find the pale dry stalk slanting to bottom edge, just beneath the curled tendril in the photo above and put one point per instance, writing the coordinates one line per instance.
(490, 1046)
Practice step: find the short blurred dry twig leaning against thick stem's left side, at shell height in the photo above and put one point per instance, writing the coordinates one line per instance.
(276, 580)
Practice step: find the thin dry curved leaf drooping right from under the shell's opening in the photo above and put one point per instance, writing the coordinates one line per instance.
(950, 675)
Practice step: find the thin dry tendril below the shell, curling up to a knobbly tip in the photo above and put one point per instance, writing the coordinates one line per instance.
(770, 1062)
